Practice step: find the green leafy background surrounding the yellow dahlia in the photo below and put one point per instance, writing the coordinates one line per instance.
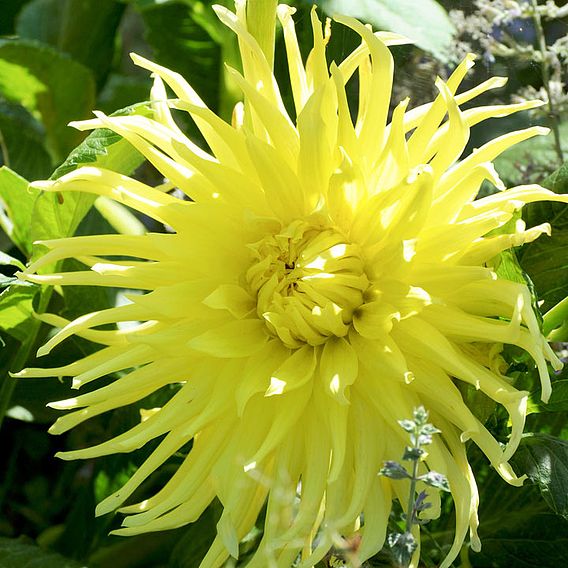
(59, 59)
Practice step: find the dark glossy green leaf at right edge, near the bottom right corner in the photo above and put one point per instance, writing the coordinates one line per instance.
(545, 461)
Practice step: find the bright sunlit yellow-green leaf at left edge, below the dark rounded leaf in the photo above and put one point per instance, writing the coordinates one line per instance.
(16, 209)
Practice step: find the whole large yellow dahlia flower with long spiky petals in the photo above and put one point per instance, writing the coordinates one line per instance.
(325, 278)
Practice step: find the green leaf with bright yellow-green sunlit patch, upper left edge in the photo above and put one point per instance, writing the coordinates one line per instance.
(51, 86)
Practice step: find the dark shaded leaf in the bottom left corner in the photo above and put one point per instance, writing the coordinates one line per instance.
(22, 553)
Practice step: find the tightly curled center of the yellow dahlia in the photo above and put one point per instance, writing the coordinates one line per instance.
(307, 281)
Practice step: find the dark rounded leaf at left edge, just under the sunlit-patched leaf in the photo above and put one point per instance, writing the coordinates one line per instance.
(23, 138)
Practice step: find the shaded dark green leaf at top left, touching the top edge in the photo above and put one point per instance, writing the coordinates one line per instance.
(84, 29)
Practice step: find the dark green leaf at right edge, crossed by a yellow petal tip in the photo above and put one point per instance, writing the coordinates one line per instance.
(545, 259)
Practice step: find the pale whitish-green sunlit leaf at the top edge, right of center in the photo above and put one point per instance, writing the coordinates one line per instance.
(425, 22)
